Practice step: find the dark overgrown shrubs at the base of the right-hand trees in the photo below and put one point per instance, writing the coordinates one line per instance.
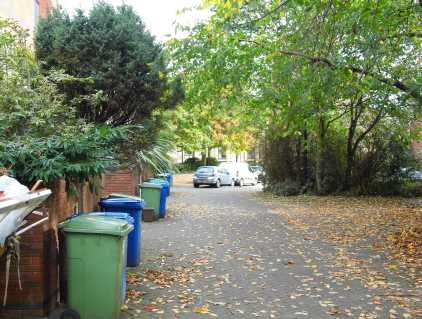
(382, 167)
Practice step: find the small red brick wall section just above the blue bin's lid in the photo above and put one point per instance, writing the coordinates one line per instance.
(124, 181)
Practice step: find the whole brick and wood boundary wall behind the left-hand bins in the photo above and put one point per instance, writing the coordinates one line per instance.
(40, 257)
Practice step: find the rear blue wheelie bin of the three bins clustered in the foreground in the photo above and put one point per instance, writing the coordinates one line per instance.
(134, 208)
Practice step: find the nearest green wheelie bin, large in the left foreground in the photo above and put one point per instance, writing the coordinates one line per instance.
(95, 261)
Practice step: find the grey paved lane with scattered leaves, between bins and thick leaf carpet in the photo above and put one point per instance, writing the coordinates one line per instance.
(222, 253)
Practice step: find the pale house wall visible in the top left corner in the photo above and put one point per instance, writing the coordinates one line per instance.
(26, 12)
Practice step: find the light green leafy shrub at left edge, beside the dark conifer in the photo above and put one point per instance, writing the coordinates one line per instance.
(29, 102)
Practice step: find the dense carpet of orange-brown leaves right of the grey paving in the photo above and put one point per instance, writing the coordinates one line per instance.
(388, 226)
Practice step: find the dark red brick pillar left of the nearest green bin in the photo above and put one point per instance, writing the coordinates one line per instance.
(39, 275)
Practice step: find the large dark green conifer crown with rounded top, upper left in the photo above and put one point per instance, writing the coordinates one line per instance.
(116, 73)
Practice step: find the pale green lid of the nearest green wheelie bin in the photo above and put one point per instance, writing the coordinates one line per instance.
(96, 225)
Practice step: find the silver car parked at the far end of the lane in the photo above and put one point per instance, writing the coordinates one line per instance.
(211, 175)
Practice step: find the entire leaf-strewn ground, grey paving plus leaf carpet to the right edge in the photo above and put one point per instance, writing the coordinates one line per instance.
(240, 253)
